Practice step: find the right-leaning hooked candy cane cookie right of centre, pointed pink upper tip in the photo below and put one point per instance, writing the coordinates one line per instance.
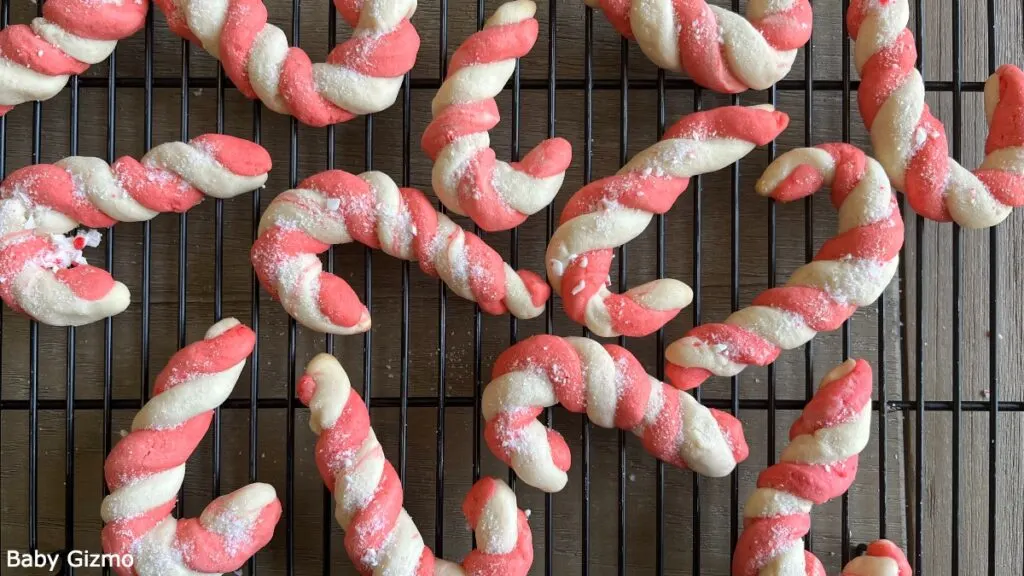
(612, 212)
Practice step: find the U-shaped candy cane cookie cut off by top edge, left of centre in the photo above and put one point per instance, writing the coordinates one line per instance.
(361, 76)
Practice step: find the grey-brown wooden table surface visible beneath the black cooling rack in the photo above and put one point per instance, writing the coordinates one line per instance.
(934, 254)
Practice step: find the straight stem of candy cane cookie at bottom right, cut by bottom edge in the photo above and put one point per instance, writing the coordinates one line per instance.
(819, 465)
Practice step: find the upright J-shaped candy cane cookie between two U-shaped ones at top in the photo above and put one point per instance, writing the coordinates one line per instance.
(466, 177)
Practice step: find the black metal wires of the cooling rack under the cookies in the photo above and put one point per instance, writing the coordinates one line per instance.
(914, 405)
